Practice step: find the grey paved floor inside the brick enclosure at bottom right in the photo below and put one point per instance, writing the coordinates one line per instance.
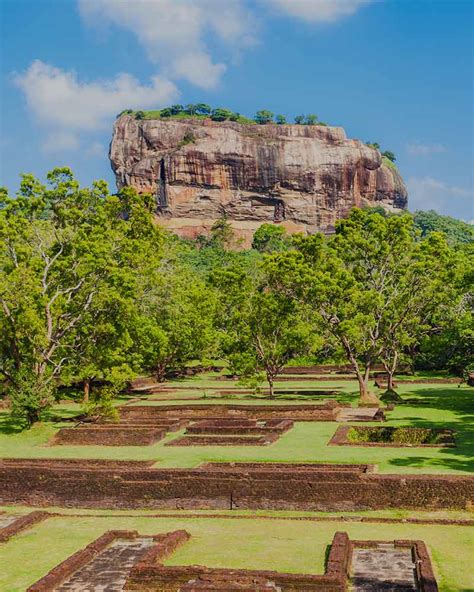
(384, 568)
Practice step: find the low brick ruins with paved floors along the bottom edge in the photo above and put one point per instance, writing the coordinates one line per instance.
(121, 560)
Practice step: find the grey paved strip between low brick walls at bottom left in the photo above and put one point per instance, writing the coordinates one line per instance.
(109, 570)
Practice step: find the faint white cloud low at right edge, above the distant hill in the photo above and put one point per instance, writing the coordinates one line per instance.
(427, 193)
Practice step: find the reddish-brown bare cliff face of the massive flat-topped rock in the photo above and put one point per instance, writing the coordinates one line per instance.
(304, 177)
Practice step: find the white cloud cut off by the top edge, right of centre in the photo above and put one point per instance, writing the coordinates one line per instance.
(318, 10)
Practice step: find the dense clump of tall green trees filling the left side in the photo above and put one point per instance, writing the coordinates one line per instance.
(70, 261)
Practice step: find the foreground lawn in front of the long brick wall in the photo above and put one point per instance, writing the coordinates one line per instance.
(293, 546)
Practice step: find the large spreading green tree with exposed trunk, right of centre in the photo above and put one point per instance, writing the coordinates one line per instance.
(365, 283)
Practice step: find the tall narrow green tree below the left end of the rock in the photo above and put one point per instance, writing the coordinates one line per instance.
(103, 343)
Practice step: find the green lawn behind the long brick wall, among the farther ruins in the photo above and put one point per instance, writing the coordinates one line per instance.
(430, 405)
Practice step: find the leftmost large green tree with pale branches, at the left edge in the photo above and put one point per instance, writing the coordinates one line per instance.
(52, 262)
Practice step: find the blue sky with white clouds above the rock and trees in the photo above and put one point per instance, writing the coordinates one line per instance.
(399, 72)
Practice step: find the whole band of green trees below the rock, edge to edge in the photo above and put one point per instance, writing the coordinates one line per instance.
(94, 293)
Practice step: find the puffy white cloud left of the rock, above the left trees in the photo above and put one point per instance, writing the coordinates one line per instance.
(67, 107)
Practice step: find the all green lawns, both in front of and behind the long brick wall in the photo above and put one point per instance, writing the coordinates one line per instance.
(284, 541)
